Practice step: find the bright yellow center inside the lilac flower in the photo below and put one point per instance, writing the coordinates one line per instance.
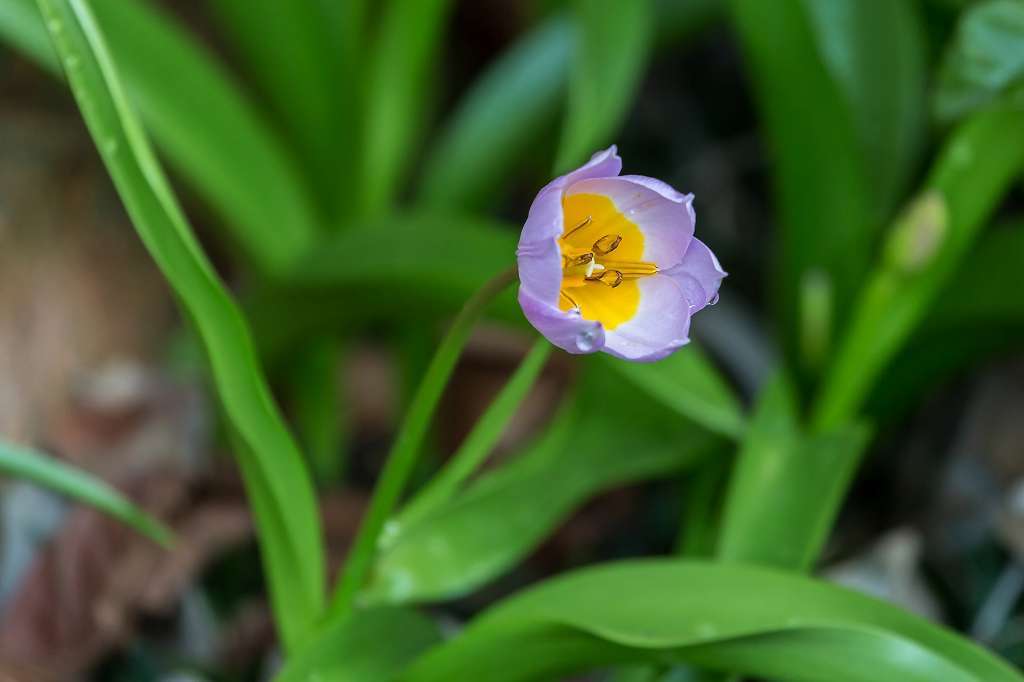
(602, 261)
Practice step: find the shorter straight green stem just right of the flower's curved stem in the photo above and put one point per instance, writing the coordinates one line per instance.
(482, 440)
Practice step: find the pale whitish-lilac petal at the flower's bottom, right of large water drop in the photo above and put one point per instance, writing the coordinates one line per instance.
(661, 326)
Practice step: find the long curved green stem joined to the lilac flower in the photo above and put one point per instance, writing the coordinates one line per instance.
(402, 459)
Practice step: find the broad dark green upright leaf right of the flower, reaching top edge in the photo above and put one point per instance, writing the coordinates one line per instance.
(839, 87)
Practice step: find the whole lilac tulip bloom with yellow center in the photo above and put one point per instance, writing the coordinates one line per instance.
(610, 263)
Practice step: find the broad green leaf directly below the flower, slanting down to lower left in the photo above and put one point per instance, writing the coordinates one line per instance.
(610, 440)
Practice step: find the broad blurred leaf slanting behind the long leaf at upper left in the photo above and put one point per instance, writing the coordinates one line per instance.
(204, 125)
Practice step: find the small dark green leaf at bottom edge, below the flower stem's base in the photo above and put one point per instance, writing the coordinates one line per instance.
(369, 647)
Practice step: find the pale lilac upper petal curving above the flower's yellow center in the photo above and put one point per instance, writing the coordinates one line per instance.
(667, 225)
